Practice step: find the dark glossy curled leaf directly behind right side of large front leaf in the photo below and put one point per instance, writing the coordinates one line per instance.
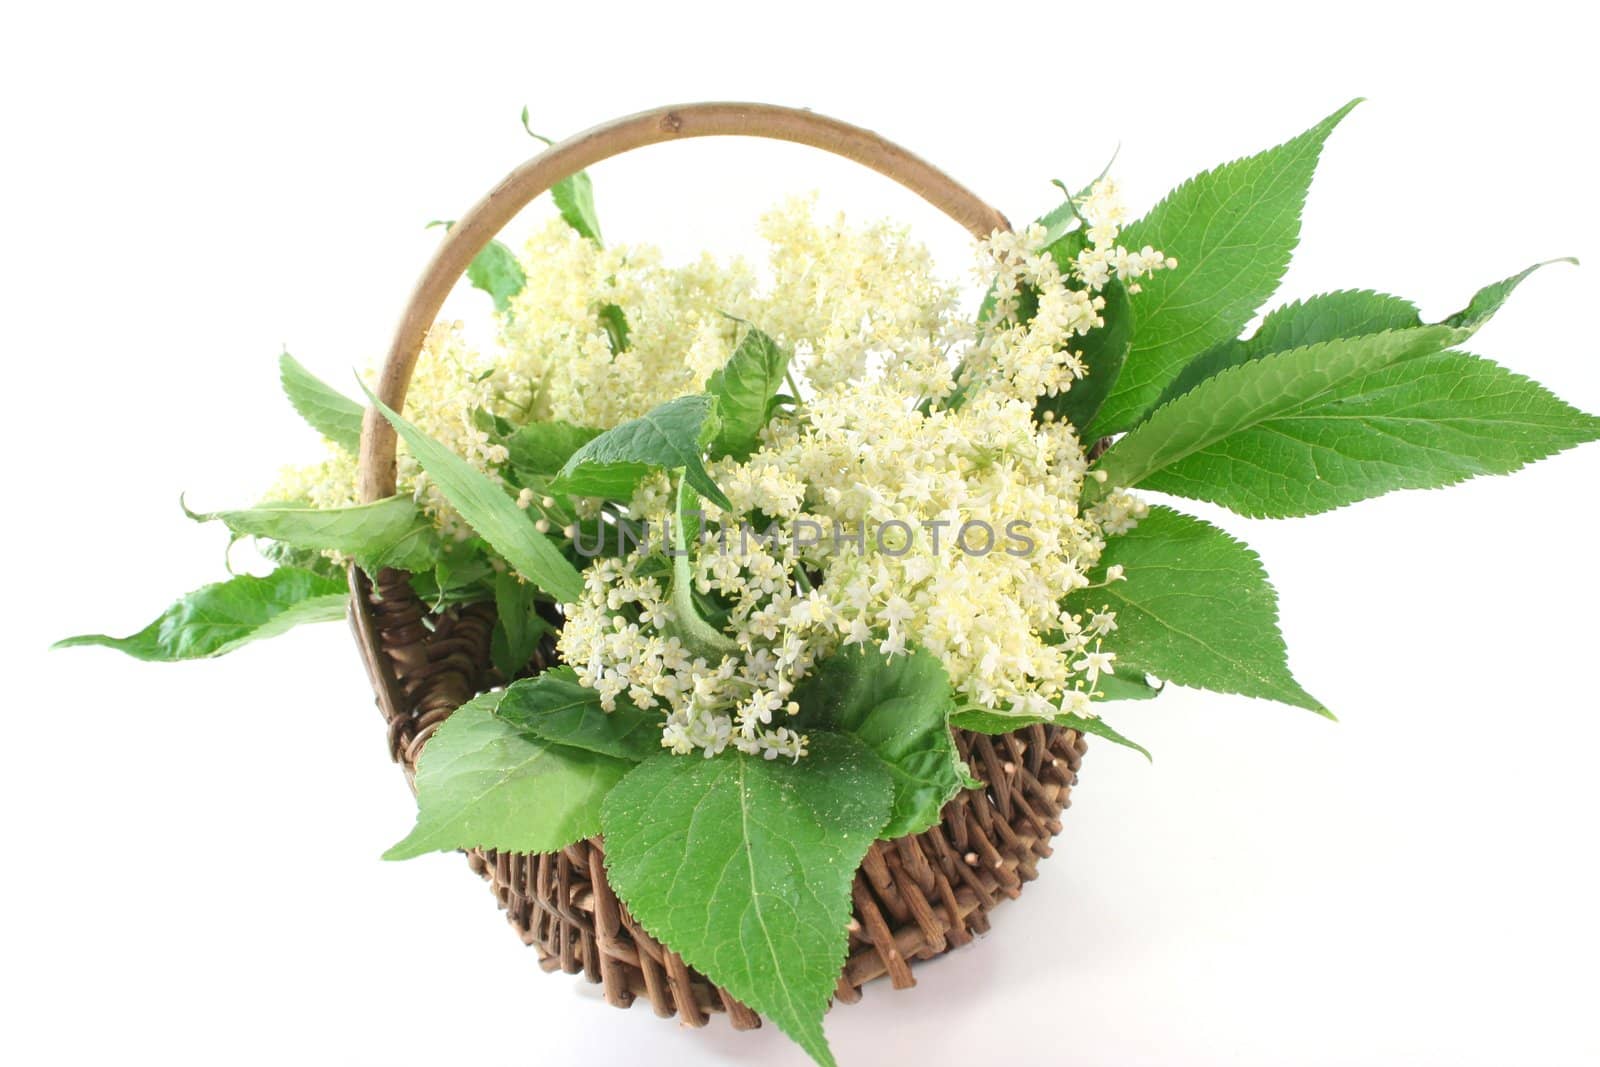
(902, 709)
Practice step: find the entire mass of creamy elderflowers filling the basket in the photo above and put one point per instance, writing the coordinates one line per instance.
(945, 513)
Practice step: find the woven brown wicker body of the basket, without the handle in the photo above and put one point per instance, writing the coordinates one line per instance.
(914, 898)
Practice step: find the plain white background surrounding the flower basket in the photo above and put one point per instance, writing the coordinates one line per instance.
(191, 853)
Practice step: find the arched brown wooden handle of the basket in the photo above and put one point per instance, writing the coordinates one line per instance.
(474, 231)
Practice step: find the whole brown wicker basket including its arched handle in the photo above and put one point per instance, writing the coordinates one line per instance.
(916, 897)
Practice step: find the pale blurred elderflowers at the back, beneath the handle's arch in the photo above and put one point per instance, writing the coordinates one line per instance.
(833, 292)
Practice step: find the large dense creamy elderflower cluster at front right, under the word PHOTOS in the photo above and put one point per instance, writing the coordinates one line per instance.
(1002, 492)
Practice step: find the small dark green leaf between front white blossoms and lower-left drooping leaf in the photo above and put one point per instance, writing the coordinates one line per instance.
(558, 708)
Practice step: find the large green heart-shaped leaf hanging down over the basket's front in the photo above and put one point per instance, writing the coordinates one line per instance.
(743, 866)
